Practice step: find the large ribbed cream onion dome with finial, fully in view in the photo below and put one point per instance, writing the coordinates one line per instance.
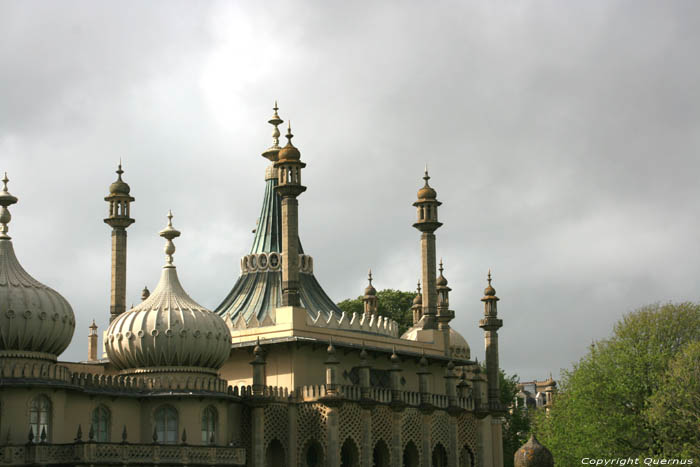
(169, 329)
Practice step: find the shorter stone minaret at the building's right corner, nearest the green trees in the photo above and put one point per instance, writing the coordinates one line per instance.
(491, 324)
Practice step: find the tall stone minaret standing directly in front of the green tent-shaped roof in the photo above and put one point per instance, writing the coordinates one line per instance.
(289, 186)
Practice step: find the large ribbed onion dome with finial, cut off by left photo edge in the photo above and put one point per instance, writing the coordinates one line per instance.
(35, 320)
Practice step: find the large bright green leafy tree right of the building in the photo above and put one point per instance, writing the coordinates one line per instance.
(603, 405)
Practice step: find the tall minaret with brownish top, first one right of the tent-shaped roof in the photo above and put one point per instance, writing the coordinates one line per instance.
(427, 223)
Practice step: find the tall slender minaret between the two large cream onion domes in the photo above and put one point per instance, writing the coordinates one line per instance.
(119, 211)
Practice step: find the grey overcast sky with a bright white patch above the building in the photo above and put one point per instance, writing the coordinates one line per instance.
(561, 137)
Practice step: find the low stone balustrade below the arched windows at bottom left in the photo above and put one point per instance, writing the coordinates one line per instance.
(93, 453)
